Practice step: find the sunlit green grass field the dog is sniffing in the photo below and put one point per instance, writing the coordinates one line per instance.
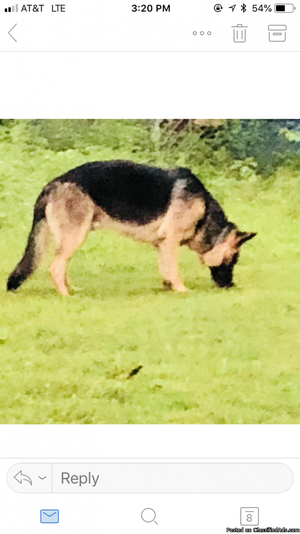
(208, 356)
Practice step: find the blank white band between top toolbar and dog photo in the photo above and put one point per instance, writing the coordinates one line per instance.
(150, 85)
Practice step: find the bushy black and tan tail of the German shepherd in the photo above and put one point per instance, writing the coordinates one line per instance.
(33, 251)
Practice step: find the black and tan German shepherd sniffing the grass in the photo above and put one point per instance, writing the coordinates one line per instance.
(167, 208)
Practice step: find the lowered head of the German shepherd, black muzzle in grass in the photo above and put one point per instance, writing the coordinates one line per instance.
(222, 258)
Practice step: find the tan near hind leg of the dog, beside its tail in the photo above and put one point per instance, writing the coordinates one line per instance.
(69, 222)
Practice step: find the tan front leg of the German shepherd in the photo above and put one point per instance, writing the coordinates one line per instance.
(168, 252)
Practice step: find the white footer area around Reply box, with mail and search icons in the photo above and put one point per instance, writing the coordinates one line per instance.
(191, 513)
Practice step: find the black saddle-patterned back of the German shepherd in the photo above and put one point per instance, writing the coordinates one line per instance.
(130, 192)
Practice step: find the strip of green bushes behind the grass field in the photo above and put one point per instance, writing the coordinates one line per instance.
(240, 148)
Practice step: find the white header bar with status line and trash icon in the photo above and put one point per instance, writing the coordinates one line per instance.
(105, 26)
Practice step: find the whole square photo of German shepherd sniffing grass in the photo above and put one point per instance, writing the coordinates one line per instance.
(127, 294)
